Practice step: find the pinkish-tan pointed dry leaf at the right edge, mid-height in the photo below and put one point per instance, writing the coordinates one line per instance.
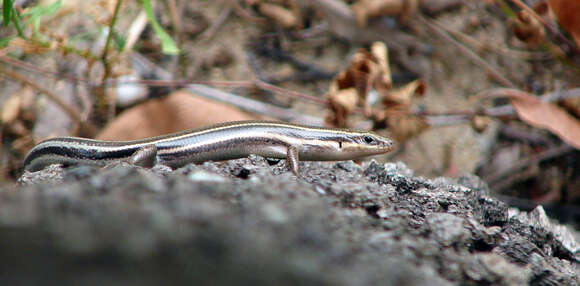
(546, 115)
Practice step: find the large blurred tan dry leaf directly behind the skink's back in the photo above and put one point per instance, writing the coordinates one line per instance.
(178, 111)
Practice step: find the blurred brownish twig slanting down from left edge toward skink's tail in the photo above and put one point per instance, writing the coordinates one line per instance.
(71, 112)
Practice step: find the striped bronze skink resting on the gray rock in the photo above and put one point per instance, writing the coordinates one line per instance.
(216, 143)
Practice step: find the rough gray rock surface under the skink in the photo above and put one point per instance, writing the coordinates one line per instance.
(251, 222)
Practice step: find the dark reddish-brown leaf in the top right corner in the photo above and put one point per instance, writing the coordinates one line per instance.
(568, 13)
